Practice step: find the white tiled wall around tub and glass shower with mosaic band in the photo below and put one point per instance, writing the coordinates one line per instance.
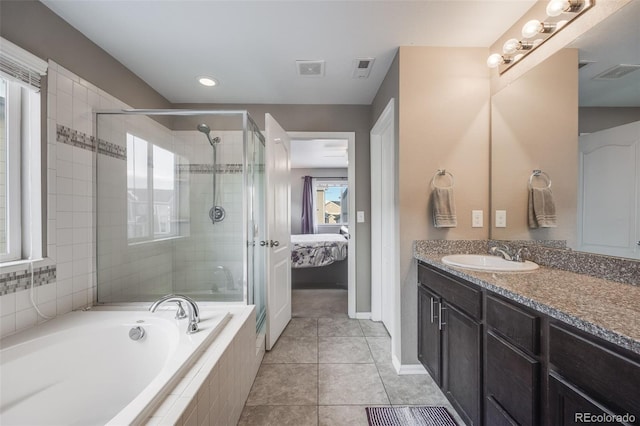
(66, 279)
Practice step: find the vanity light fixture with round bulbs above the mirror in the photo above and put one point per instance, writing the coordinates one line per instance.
(515, 49)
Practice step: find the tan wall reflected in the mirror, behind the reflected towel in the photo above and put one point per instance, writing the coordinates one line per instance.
(532, 129)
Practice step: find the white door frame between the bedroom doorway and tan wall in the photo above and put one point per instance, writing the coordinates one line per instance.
(384, 212)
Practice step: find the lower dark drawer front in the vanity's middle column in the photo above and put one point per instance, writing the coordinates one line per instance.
(513, 380)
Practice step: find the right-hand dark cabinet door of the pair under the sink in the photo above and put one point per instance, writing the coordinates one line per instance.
(461, 363)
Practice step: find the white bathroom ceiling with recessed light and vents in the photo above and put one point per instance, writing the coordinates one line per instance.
(251, 47)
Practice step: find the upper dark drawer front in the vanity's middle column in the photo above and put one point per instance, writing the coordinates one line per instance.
(516, 325)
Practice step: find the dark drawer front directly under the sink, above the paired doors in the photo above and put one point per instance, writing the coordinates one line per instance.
(463, 296)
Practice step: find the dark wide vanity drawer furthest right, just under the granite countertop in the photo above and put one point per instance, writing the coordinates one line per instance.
(607, 376)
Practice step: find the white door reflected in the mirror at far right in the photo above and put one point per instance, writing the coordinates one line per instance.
(609, 192)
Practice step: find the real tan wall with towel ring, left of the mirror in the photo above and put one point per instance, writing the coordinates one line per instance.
(443, 123)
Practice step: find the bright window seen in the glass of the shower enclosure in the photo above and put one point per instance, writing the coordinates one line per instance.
(151, 191)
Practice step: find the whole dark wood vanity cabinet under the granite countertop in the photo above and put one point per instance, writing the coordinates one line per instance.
(503, 364)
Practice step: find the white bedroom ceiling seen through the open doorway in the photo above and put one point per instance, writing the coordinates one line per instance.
(319, 153)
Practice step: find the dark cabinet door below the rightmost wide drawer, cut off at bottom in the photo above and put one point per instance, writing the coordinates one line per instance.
(569, 406)
